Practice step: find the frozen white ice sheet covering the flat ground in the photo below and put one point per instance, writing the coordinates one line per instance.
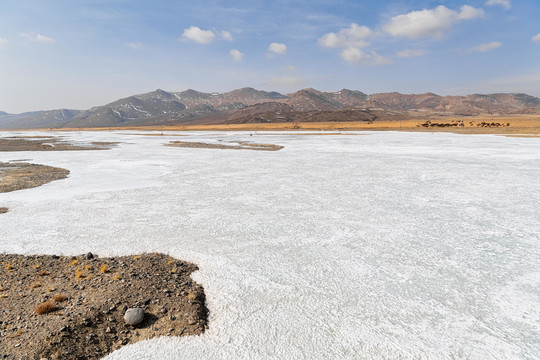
(383, 246)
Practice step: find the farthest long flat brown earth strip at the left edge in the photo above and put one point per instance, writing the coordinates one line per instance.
(43, 143)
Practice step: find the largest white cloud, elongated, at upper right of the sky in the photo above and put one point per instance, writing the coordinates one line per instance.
(429, 22)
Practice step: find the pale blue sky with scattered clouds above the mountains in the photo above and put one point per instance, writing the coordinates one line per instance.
(82, 53)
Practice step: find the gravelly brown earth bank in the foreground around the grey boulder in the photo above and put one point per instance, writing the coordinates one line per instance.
(72, 307)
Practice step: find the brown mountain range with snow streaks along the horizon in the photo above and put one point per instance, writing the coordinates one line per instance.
(248, 105)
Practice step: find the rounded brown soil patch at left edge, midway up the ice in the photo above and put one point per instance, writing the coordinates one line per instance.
(18, 176)
